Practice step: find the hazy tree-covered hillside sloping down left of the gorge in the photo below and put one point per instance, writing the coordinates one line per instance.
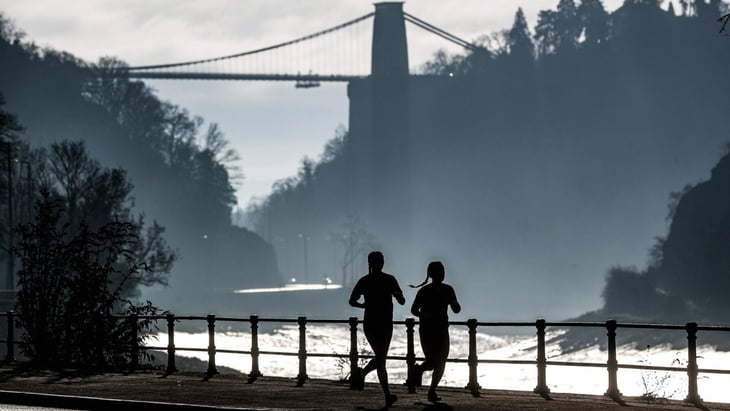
(182, 170)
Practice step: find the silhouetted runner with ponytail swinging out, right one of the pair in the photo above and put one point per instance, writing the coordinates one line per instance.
(431, 307)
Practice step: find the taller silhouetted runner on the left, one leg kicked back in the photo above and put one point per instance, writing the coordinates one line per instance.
(378, 289)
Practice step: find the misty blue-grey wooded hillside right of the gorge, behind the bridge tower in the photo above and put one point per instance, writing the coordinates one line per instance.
(535, 164)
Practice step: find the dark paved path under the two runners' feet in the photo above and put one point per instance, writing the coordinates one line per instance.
(160, 391)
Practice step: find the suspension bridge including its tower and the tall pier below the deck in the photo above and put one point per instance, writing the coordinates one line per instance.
(370, 54)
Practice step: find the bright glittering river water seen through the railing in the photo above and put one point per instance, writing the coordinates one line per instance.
(335, 339)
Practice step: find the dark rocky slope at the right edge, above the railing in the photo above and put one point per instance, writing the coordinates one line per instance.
(688, 278)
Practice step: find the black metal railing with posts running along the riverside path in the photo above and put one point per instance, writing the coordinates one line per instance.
(541, 362)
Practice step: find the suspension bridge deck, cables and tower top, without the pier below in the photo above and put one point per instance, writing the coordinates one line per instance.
(337, 54)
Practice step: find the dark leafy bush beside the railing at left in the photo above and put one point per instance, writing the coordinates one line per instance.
(71, 284)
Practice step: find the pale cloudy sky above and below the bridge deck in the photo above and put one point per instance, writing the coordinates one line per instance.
(272, 125)
